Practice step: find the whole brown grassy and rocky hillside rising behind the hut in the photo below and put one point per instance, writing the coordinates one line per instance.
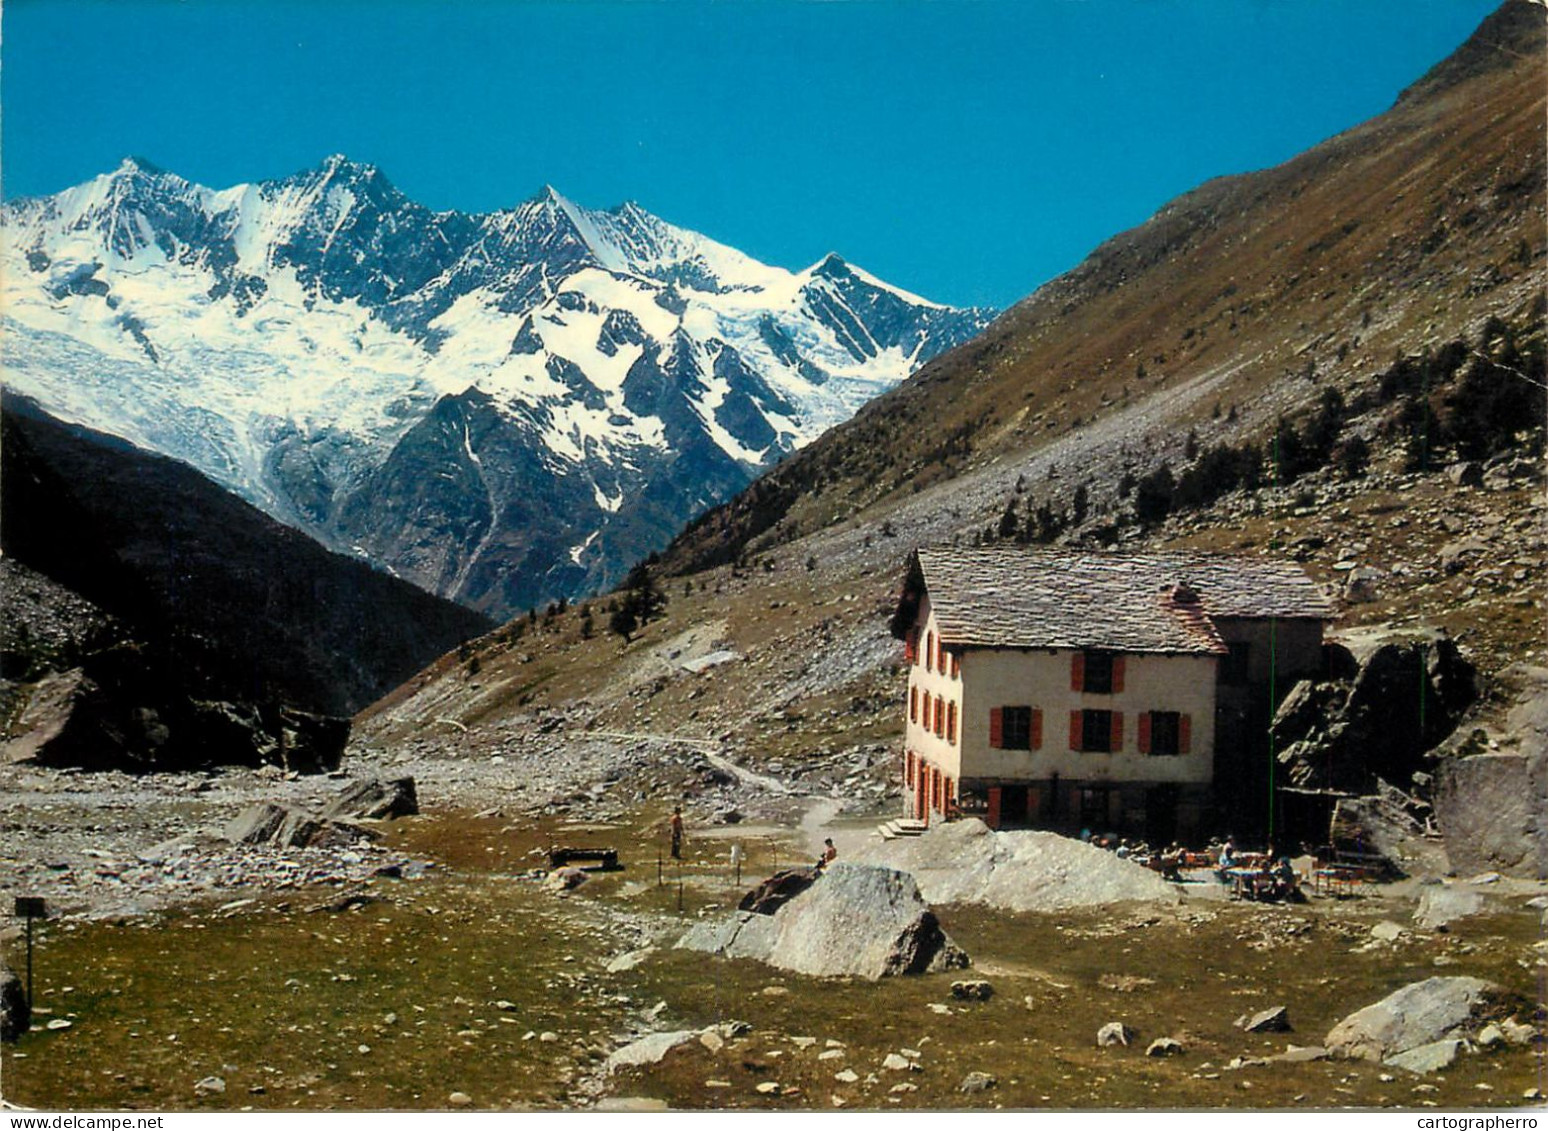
(1241, 304)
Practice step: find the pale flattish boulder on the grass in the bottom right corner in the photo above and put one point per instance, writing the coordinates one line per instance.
(1420, 1014)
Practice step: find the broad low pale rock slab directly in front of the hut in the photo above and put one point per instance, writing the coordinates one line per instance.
(1022, 870)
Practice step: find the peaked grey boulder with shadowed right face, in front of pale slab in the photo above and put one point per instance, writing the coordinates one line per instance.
(857, 920)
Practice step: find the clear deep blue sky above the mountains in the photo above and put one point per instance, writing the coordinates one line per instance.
(964, 149)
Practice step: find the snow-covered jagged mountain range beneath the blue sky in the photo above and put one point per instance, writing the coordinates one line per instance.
(501, 408)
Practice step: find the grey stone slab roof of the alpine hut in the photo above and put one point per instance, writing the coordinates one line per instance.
(1015, 598)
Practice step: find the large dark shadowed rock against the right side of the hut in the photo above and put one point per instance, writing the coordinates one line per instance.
(1396, 697)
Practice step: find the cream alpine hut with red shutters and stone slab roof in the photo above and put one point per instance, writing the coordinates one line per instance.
(1104, 692)
